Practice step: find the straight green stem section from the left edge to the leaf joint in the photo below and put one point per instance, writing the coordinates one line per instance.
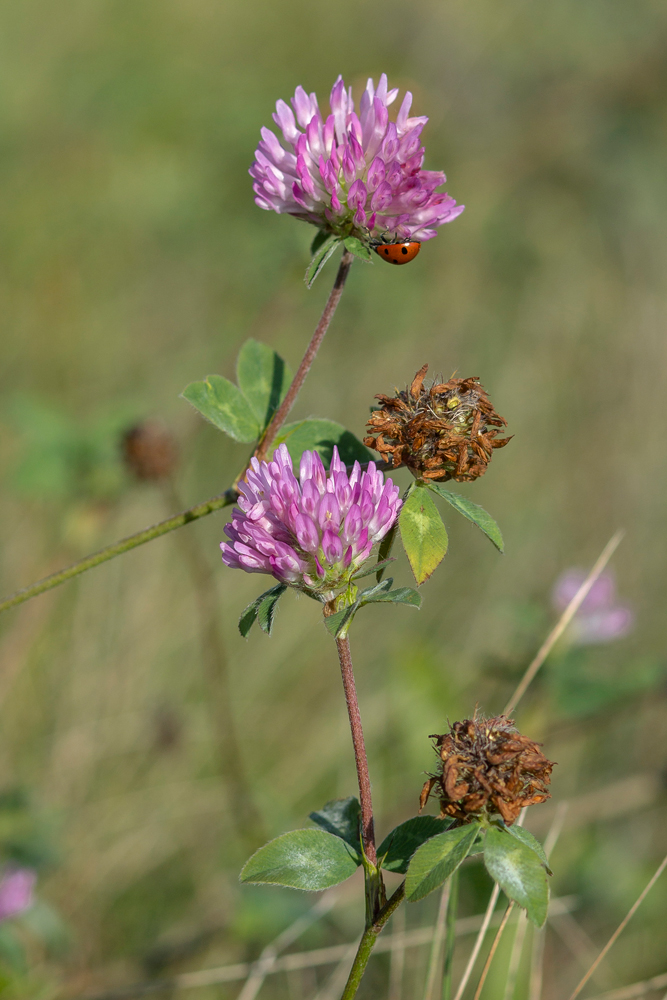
(118, 548)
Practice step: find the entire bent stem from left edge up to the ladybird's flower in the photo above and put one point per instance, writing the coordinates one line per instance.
(225, 499)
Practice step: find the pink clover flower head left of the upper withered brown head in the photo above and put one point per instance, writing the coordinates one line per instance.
(312, 533)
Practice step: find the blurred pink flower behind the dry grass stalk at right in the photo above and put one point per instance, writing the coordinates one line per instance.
(600, 618)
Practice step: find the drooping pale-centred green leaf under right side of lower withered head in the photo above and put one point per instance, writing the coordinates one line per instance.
(519, 872)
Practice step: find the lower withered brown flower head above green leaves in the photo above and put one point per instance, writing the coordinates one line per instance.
(487, 767)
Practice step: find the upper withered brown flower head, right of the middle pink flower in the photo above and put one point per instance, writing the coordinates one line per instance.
(448, 431)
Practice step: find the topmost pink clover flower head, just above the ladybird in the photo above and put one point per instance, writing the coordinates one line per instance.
(352, 175)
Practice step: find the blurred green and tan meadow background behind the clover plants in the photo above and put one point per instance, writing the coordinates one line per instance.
(135, 261)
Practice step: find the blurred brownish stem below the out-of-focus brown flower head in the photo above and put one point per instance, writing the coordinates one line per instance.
(243, 813)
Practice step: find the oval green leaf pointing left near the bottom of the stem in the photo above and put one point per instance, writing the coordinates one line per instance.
(302, 859)
